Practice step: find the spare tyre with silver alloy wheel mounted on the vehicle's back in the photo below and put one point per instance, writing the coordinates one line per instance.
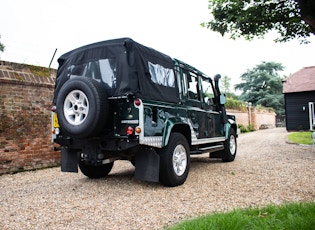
(82, 106)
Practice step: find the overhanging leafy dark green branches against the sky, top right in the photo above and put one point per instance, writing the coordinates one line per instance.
(254, 18)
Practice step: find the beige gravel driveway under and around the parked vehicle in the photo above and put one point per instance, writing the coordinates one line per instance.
(267, 170)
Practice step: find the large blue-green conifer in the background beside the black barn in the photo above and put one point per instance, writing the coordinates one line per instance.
(262, 85)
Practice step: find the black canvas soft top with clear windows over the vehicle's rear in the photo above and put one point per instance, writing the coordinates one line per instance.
(124, 67)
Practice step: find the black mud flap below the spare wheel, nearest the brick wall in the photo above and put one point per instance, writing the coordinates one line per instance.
(69, 160)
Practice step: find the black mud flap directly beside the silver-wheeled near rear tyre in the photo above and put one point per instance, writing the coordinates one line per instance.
(147, 163)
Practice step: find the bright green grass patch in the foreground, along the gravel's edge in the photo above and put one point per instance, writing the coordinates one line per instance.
(288, 216)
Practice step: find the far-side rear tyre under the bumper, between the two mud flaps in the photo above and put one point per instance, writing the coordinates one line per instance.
(97, 171)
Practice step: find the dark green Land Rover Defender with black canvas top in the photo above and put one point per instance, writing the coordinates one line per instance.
(120, 100)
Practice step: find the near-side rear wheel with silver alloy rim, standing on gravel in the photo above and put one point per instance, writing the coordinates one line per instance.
(174, 161)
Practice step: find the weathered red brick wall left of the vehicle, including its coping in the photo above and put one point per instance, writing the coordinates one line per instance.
(25, 132)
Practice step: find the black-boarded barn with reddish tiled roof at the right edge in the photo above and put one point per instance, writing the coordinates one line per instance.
(299, 97)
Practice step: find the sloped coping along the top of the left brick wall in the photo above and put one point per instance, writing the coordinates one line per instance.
(14, 73)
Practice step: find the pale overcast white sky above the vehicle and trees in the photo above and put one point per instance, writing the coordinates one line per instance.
(32, 30)
